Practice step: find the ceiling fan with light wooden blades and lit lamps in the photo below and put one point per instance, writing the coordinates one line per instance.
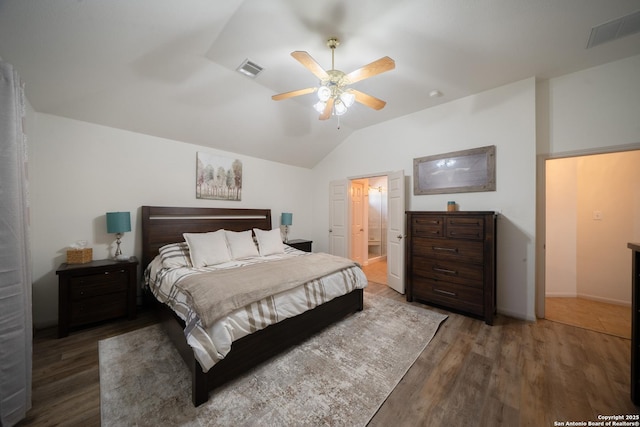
(334, 94)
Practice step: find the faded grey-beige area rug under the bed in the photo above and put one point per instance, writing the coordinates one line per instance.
(340, 376)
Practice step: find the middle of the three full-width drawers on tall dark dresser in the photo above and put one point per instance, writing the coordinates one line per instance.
(460, 273)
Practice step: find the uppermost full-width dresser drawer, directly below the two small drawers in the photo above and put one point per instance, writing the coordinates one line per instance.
(449, 249)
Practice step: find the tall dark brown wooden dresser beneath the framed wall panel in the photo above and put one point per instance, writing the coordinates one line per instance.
(451, 261)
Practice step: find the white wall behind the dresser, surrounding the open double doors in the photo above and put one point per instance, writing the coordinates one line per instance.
(504, 117)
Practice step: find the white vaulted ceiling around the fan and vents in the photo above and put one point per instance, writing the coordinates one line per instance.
(167, 68)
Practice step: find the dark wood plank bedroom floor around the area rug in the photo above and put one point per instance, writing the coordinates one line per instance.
(514, 373)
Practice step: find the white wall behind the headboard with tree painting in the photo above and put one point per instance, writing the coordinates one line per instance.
(79, 171)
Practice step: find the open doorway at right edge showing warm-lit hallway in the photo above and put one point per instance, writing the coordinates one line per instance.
(592, 209)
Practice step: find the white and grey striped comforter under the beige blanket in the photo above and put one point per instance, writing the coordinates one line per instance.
(213, 343)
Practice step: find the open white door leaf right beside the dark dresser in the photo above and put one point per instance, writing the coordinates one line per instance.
(396, 231)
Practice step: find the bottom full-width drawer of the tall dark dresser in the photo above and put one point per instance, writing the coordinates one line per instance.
(451, 295)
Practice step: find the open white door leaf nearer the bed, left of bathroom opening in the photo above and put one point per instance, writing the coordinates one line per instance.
(338, 218)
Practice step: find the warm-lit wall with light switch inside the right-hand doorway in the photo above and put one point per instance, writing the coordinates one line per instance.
(607, 183)
